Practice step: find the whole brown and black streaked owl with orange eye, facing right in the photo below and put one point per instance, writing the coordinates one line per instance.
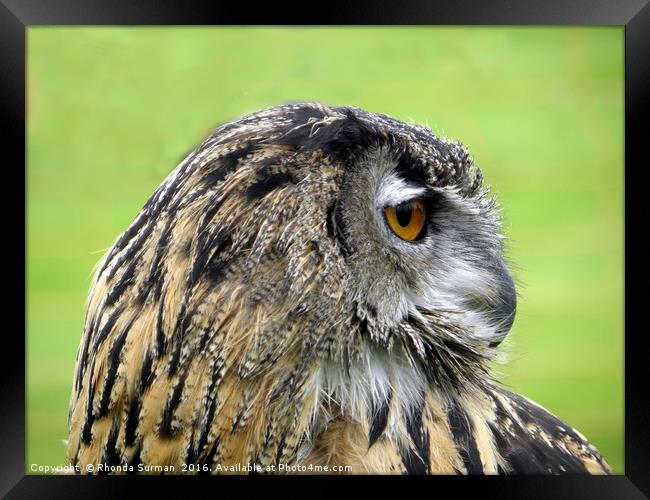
(313, 288)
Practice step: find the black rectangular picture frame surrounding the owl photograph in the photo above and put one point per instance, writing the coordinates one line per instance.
(17, 15)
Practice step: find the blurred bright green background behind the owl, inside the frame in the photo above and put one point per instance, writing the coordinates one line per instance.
(111, 111)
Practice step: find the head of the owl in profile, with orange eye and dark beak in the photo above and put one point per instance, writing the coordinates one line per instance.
(305, 235)
